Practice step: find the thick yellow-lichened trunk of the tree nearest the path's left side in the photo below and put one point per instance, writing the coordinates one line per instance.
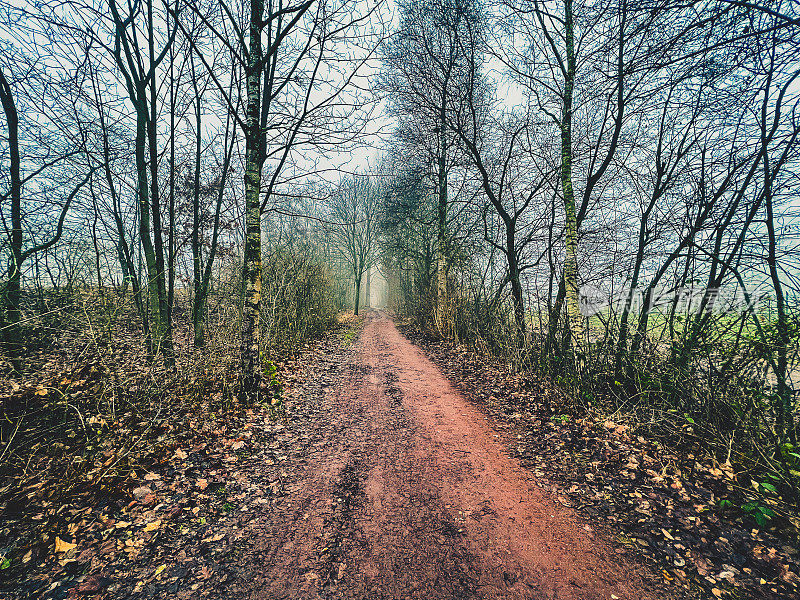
(251, 310)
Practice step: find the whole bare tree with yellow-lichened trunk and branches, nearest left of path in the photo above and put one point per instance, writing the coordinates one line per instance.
(294, 98)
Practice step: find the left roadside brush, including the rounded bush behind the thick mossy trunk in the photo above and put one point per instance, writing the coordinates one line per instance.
(88, 415)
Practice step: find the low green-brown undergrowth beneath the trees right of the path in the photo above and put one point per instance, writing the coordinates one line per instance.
(725, 413)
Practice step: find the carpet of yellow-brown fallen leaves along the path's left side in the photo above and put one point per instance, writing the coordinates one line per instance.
(163, 517)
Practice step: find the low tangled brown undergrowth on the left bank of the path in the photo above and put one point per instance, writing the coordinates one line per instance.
(88, 414)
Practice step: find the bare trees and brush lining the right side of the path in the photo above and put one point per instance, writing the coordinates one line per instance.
(674, 303)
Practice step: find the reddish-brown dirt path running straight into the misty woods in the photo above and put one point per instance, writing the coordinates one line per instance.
(405, 491)
